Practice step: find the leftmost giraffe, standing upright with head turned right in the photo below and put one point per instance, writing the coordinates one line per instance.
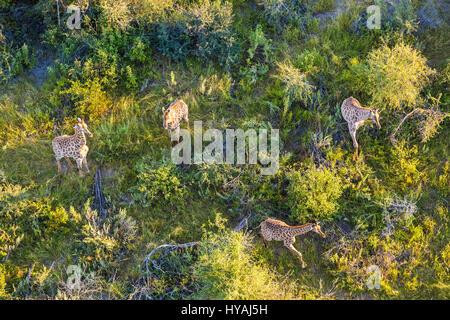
(73, 146)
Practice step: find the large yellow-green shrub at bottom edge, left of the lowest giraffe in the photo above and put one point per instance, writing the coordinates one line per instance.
(227, 268)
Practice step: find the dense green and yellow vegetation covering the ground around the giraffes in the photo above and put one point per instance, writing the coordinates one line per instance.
(284, 64)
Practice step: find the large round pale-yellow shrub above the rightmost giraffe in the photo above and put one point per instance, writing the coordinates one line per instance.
(396, 76)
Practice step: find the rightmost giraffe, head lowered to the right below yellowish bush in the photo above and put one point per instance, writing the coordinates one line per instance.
(355, 115)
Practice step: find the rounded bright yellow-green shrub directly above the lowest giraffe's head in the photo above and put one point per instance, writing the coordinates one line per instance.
(313, 194)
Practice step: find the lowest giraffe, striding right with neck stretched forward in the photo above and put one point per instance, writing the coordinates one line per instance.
(272, 229)
